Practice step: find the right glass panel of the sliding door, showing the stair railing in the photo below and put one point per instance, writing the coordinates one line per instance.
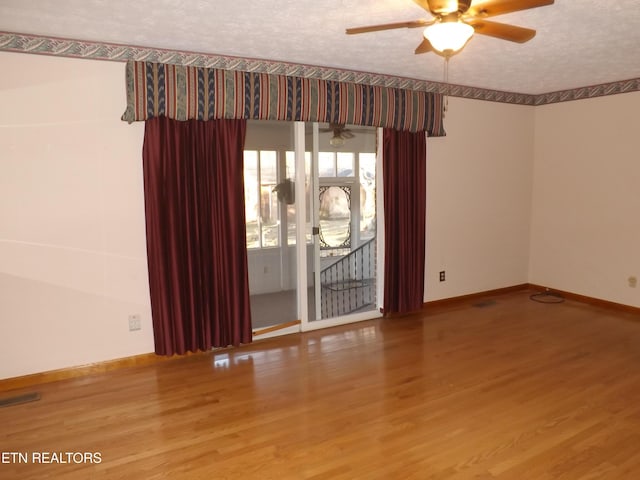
(346, 275)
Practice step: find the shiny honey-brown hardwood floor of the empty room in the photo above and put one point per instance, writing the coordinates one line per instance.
(510, 390)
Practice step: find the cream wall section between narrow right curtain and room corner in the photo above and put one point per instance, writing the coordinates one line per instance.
(479, 182)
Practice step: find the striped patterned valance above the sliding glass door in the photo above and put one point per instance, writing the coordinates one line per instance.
(182, 93)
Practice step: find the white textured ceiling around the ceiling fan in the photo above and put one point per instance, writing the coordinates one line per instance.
(579, 42)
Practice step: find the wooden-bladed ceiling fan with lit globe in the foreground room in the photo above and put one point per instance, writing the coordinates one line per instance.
(455, 21)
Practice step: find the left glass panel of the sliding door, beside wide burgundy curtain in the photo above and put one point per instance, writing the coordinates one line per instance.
(271, 235)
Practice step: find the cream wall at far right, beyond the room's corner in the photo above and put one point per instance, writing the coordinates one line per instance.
(586, 210)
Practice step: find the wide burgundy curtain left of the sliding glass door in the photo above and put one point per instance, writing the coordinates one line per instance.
(195, 219)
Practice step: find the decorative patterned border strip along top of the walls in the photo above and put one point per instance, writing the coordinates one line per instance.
(23, 43)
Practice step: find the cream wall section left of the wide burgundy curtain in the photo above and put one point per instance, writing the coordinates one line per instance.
(72, 234)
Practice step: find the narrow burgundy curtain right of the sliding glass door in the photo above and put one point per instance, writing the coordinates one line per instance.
(404, 174)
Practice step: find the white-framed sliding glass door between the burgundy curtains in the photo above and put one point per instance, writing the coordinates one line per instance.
(312, 243)
